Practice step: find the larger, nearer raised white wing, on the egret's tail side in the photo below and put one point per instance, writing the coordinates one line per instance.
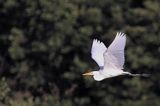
(114, 55)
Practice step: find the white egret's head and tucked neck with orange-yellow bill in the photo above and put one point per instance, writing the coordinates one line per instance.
(96, 75)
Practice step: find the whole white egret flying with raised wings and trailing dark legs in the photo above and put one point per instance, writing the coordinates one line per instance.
(110, 60)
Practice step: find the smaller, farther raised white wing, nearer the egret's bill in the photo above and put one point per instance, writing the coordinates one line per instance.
(97, 51)
